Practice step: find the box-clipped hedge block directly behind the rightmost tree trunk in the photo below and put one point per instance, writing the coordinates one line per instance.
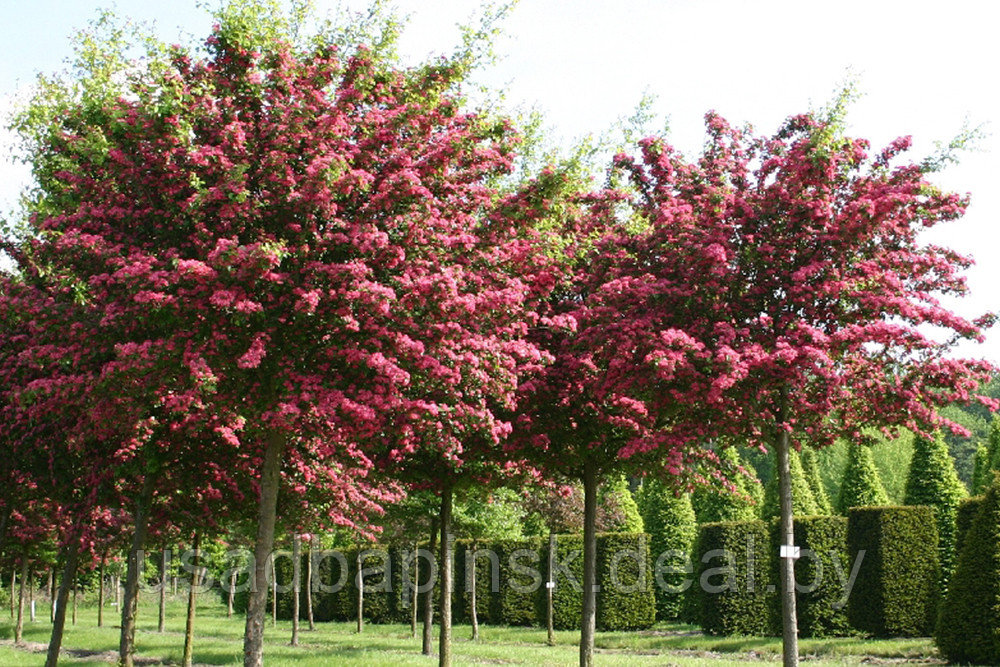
(821, 607)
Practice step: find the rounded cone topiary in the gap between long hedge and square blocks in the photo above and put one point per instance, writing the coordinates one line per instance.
(671, 524)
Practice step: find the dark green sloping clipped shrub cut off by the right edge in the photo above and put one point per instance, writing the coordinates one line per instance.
(969, 626)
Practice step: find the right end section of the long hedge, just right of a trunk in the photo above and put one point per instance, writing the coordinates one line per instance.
(625, 600)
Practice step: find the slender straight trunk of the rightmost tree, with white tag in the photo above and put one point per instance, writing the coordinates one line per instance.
(790, 631)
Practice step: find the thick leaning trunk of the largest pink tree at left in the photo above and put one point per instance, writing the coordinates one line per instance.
(253, 642)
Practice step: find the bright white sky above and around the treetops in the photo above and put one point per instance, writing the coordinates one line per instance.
(925, 68)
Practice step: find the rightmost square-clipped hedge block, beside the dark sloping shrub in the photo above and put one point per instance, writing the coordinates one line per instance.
(896, 592)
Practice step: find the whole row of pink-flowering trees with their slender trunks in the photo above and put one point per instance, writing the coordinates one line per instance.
(284, 271)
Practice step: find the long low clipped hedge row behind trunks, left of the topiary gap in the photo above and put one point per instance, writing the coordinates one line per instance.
(510, 584)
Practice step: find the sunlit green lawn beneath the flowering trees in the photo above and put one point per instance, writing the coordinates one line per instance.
(219, 642)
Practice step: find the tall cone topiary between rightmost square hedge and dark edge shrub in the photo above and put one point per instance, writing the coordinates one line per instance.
(933, 481)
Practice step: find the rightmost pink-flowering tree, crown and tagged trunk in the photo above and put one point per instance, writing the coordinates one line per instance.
(788, 272)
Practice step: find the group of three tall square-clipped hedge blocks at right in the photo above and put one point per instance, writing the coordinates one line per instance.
(895, 593)
